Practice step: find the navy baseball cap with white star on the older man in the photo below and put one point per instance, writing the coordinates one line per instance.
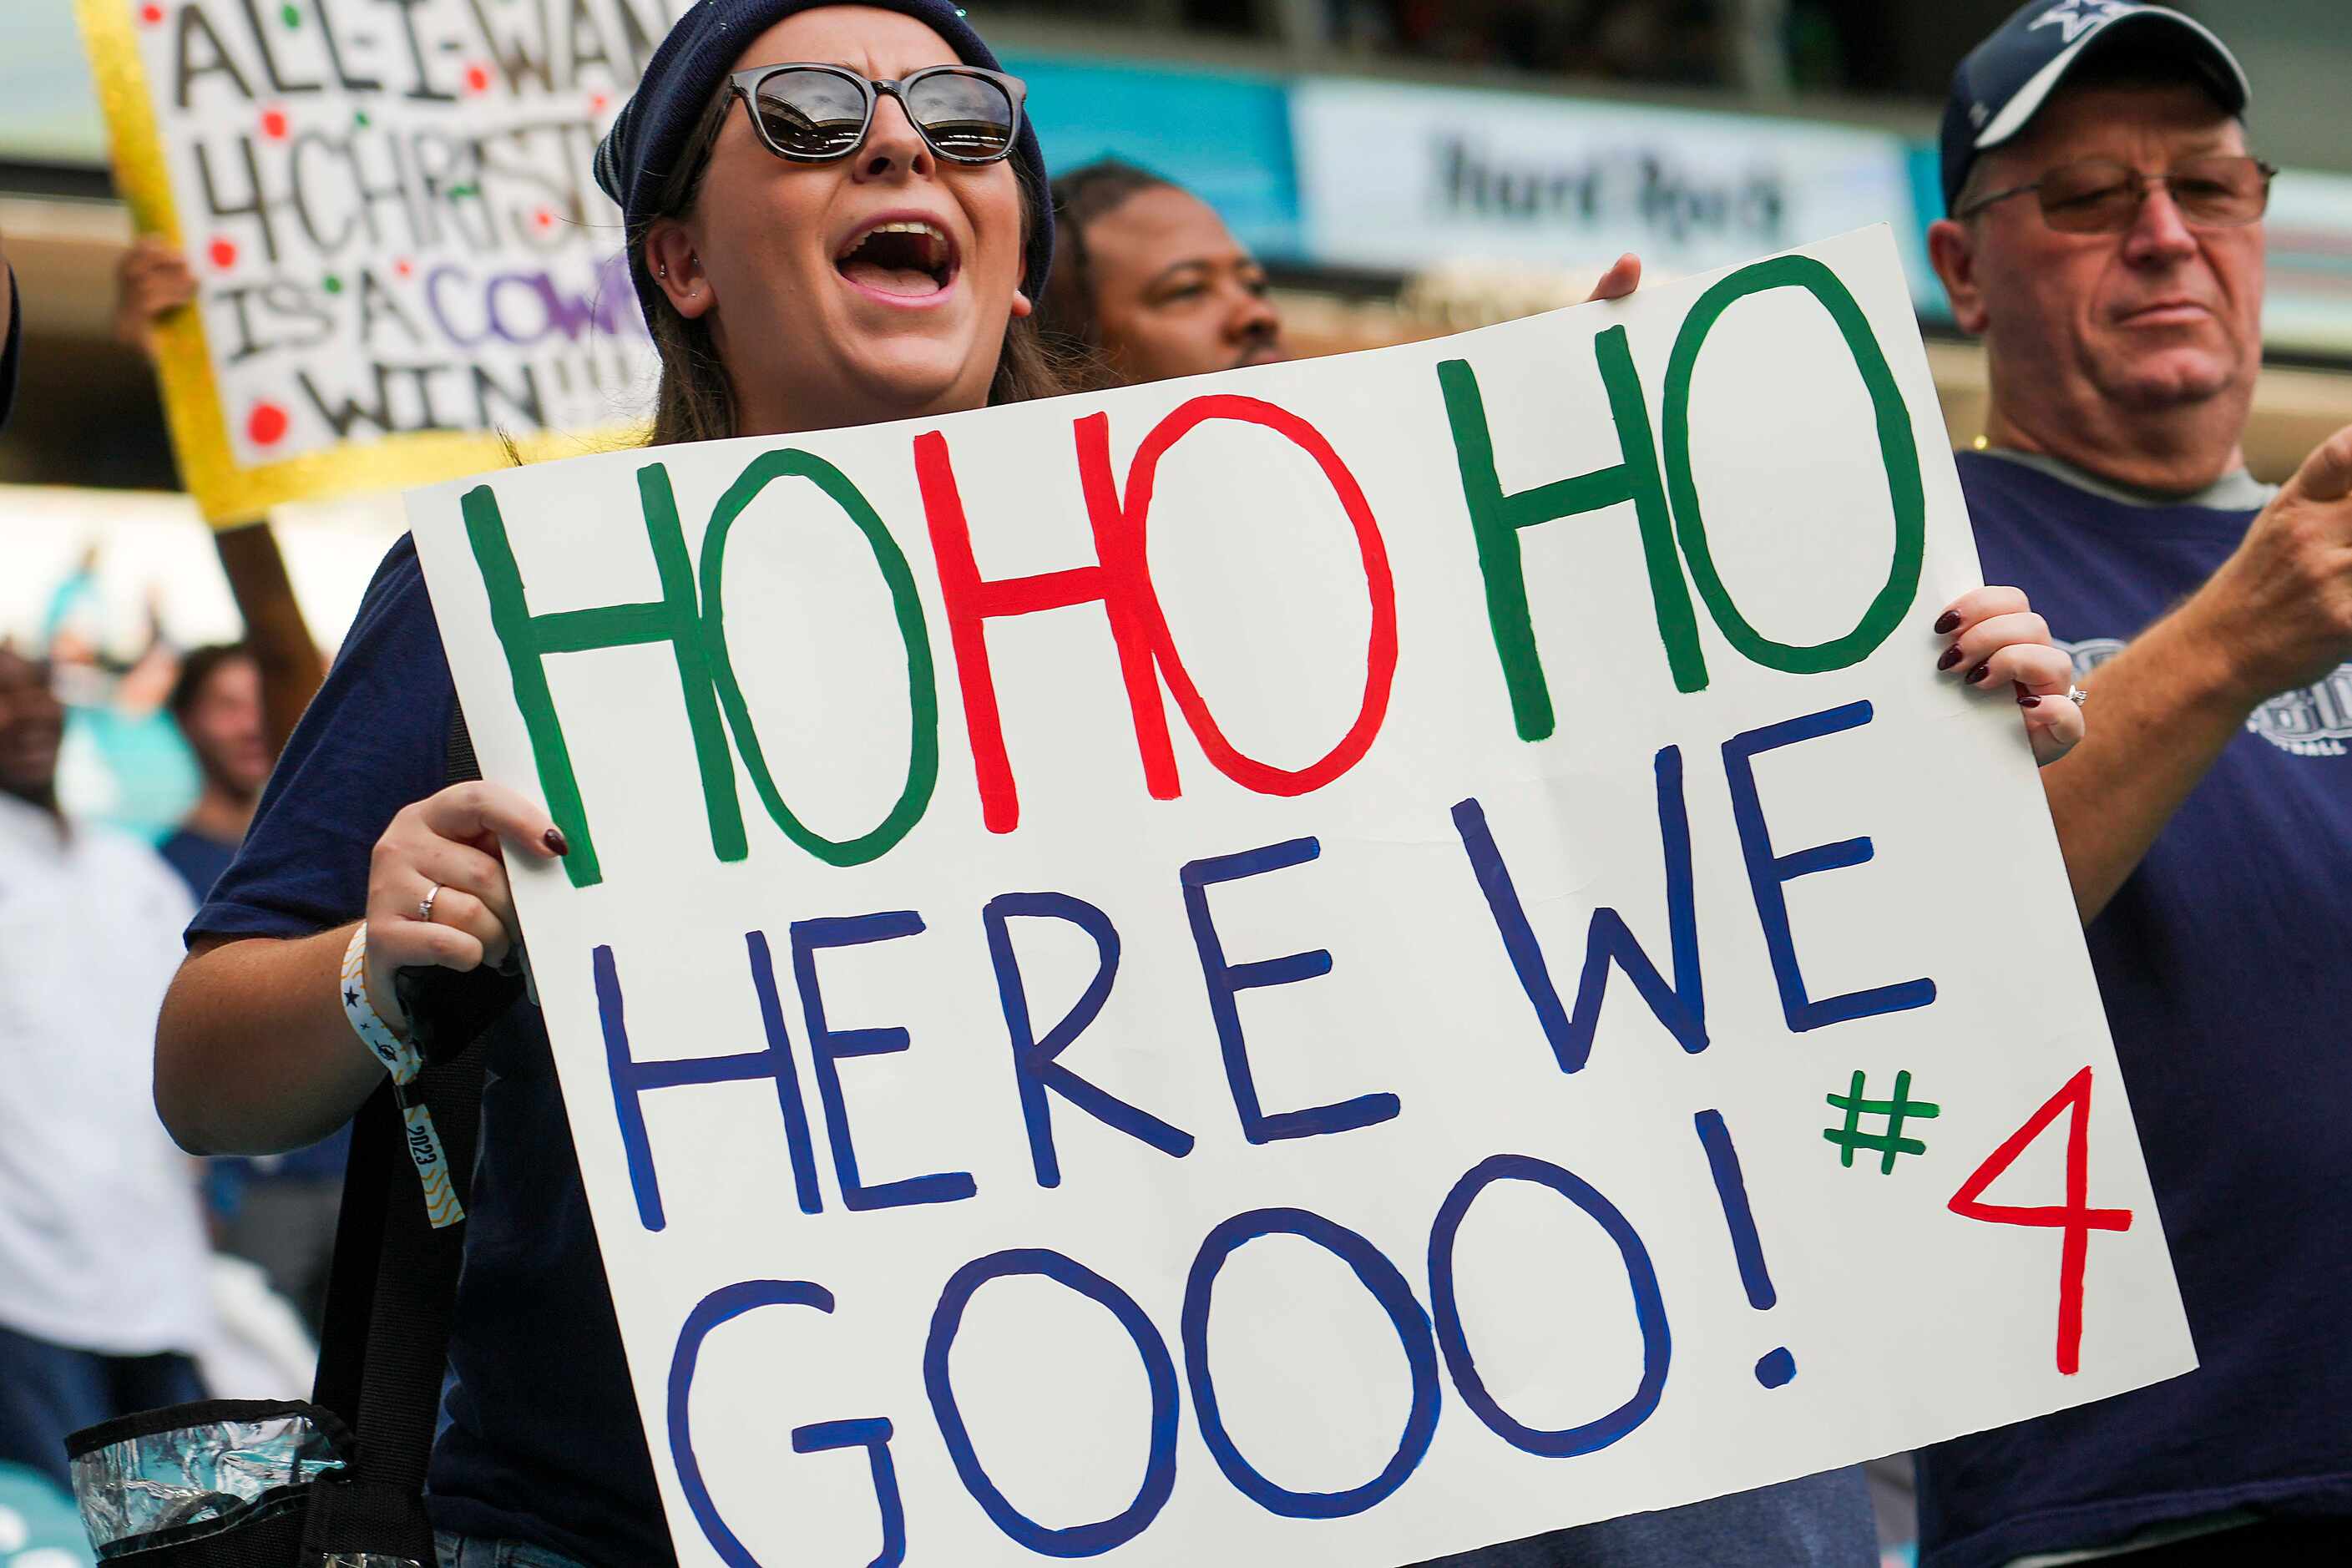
(2007, 79)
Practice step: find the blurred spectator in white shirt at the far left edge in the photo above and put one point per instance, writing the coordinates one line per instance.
(102, 1254)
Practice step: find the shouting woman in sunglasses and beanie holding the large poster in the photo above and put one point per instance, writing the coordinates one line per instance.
(860, 243)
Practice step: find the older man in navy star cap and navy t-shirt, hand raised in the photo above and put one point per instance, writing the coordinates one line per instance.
(2106, 241)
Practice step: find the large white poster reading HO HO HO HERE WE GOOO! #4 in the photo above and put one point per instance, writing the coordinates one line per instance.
(1318, 965)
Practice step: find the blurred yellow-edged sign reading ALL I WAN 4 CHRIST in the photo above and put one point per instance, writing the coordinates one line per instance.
(399, 250)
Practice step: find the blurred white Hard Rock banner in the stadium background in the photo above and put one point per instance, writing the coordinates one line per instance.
(1469, 175)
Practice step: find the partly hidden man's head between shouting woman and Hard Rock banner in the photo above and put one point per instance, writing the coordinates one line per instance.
(1151, 279)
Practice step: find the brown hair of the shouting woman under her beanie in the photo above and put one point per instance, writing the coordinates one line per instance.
(695, 401)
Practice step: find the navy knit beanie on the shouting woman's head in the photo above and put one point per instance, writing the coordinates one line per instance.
(693, 65)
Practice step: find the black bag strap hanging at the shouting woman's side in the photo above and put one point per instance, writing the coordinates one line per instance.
(392, 1296)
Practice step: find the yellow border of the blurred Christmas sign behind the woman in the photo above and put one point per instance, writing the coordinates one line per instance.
(227, 492)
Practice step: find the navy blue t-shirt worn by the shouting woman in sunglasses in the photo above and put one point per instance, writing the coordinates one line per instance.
(542, 1435)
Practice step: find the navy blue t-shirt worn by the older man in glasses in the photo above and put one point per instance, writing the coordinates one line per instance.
(2226, 965)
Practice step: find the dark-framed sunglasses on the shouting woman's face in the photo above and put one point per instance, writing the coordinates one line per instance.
(822, 114)
